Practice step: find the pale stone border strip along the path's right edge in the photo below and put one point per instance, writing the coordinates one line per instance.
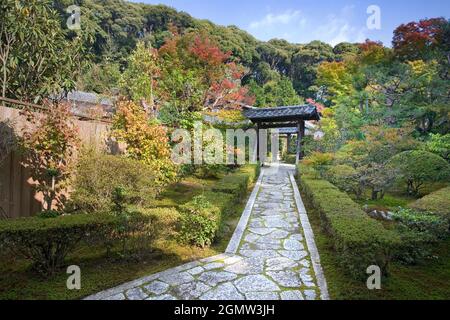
(309, 236)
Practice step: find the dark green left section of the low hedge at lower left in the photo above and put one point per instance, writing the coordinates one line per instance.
(46, 242)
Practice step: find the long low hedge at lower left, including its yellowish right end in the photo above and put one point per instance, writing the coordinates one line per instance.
(47, 241)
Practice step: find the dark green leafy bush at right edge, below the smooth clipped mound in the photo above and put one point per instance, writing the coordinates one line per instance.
(419, 232)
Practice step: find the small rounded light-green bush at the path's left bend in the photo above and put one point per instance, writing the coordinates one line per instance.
(200, 221)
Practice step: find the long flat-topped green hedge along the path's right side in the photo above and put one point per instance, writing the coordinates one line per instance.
(359, 240)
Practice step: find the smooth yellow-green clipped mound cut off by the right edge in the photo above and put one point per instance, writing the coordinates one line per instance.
(437, 202)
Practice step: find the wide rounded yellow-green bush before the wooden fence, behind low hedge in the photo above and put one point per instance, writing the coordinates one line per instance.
(99, 175)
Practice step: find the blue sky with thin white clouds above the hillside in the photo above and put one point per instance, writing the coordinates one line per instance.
(301, 21)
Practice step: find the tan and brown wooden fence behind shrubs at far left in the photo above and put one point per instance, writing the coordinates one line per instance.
(17, 197)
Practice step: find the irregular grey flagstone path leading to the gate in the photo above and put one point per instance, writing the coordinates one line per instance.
(271, 256)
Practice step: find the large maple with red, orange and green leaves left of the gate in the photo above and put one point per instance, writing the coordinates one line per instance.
(197, 76)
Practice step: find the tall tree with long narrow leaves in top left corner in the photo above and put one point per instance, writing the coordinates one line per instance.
(36, 58)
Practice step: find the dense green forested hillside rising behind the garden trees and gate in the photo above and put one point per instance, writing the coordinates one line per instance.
(112, 29)
